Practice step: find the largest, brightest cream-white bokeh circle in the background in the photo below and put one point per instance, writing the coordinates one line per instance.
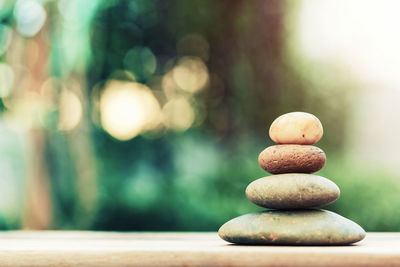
(128, 109)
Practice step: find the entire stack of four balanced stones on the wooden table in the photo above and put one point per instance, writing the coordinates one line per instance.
(292, 193)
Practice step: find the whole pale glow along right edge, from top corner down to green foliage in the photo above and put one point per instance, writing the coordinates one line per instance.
(361, 37)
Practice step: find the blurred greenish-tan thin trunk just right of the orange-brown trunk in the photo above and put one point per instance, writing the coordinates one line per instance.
(78, 141)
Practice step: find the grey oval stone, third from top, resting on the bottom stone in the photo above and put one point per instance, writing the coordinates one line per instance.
(292, 191)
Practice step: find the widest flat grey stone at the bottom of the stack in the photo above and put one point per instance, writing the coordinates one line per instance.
(296, 227)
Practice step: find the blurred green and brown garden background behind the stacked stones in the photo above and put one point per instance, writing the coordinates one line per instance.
(150, 114)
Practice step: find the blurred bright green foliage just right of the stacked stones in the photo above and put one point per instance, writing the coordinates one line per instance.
(368, 193)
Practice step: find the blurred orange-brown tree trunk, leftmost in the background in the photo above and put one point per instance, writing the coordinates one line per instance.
(38, 207)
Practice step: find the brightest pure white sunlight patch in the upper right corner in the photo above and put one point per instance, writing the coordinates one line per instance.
(361, 34)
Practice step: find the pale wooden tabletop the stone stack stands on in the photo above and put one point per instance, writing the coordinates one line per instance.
(52, 248)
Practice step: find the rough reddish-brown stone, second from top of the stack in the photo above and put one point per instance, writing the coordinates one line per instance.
(292, 158)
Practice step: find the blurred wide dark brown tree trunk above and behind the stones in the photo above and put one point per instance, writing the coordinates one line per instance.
(248, 54)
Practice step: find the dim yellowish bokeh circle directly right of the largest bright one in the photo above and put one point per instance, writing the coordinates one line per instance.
(178, 114)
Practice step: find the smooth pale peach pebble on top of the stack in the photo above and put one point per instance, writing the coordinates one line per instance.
(296, 128)
